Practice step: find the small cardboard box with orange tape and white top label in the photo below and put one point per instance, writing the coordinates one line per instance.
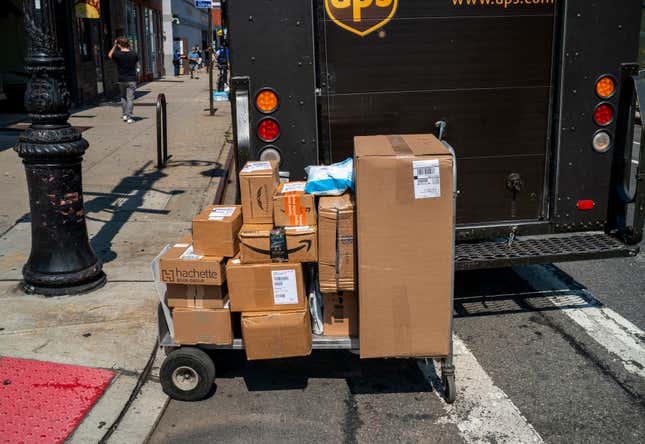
(292, 206)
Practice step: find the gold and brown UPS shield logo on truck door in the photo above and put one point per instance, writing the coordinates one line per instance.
(361, 16)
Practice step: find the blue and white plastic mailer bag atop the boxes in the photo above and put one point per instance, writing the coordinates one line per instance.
(330, 180)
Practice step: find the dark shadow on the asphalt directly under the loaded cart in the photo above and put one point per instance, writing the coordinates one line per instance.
(367, 376)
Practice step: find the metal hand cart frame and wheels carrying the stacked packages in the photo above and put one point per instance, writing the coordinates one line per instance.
(188, 372)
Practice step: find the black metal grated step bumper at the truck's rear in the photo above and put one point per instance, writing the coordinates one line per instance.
(540, 250)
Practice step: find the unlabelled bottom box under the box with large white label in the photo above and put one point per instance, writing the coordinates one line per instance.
(270, 335)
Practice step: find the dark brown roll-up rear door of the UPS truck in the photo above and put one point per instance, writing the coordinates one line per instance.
(486, 67)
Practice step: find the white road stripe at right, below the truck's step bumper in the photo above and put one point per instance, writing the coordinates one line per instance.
(615, 333)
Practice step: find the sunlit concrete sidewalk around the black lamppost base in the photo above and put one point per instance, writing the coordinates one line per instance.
(133, 210)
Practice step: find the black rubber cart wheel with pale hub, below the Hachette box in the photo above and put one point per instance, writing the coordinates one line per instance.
(187, 374)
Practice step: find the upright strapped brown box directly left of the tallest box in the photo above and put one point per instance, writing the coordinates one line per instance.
(336, 243)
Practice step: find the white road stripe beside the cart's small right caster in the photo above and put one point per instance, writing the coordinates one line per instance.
(483, 413)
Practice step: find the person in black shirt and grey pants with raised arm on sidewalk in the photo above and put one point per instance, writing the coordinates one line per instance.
(127, 63)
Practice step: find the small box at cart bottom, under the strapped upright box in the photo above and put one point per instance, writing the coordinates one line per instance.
(340, 314)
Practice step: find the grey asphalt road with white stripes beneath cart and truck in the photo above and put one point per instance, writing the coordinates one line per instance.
(550, 353)
